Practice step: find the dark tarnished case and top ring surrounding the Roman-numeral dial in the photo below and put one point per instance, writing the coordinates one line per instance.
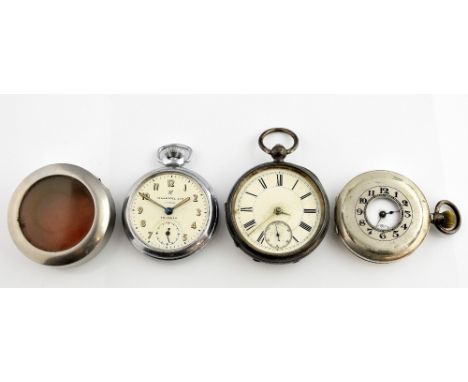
(278, 153)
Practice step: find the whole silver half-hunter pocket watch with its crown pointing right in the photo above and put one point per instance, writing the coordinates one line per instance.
(382, 216)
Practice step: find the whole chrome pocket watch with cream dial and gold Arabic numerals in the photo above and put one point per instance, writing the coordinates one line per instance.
(171, 212)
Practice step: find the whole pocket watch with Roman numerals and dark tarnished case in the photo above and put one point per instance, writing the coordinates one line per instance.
(278, 212)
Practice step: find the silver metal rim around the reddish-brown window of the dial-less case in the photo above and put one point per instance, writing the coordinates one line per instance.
(98, 235)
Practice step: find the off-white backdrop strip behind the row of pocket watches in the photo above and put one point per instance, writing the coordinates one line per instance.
(115, 137)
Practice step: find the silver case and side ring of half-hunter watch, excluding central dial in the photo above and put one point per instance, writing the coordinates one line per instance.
(379, 251)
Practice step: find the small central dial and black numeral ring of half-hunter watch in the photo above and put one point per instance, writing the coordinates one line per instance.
(384, 213)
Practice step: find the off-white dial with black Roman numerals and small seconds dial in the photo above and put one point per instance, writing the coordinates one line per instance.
(278, 211)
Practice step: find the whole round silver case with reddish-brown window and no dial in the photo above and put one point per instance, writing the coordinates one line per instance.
(61, 214)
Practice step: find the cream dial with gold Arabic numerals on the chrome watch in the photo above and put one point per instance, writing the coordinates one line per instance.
(169, 211)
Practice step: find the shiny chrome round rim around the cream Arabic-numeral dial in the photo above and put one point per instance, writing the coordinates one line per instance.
(192, 248)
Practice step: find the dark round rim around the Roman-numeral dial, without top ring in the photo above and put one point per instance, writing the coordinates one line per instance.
(261, 256)
